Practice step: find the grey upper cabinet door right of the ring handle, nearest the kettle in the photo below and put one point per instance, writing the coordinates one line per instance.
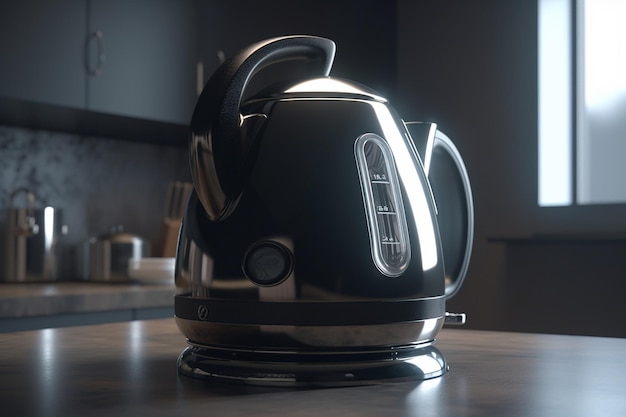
(149, 67)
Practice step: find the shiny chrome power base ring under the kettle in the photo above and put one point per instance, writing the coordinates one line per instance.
(312, 368)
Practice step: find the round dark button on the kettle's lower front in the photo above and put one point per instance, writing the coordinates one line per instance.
(267, 263)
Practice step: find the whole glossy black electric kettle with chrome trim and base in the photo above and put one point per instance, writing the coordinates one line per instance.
(313, 250)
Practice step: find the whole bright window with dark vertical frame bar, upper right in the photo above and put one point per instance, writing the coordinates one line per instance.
(582, 102)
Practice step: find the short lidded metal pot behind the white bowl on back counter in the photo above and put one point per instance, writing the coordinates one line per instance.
(106, 257)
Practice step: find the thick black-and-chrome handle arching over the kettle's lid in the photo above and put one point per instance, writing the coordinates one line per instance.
(217, 149)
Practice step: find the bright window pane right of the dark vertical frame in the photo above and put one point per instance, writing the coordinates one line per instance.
(601, 141)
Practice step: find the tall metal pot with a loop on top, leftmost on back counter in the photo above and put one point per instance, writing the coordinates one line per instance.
(31, 241)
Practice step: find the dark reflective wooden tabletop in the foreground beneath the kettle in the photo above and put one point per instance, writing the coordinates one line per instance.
(129, 369)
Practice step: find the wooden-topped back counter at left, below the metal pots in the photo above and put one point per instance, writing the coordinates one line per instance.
(28, 306)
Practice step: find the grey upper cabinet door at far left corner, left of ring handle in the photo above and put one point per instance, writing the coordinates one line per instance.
(41, 51)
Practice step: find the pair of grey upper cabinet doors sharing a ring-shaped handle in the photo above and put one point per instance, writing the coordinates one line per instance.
(137, 59)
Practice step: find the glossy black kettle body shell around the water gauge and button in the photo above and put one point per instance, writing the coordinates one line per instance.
(306, 194)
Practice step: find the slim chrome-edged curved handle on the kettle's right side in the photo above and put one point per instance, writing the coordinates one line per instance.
(444, 143)
